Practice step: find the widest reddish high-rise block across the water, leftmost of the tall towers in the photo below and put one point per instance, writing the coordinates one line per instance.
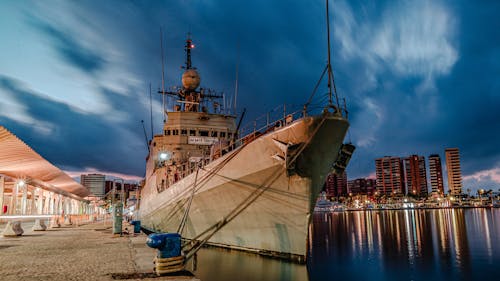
(389, 172)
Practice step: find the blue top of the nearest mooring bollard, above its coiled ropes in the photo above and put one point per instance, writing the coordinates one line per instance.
(168, 244)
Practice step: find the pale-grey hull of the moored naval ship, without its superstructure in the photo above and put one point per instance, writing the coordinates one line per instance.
(271, 183)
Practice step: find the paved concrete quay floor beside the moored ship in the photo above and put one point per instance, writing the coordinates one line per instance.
(84, 252)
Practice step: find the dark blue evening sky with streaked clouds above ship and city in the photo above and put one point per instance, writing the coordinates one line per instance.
(418, 76)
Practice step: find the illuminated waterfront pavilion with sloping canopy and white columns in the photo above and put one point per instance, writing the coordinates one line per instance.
(31, 187)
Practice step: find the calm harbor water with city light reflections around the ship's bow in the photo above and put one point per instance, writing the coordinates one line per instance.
(436, 244)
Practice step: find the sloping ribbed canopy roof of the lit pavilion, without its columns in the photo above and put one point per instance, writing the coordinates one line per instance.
(18, 160)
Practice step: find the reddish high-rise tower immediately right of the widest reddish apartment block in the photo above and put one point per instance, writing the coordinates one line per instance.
(415, 175)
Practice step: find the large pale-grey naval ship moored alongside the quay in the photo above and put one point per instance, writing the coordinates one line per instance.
(216, 185)
